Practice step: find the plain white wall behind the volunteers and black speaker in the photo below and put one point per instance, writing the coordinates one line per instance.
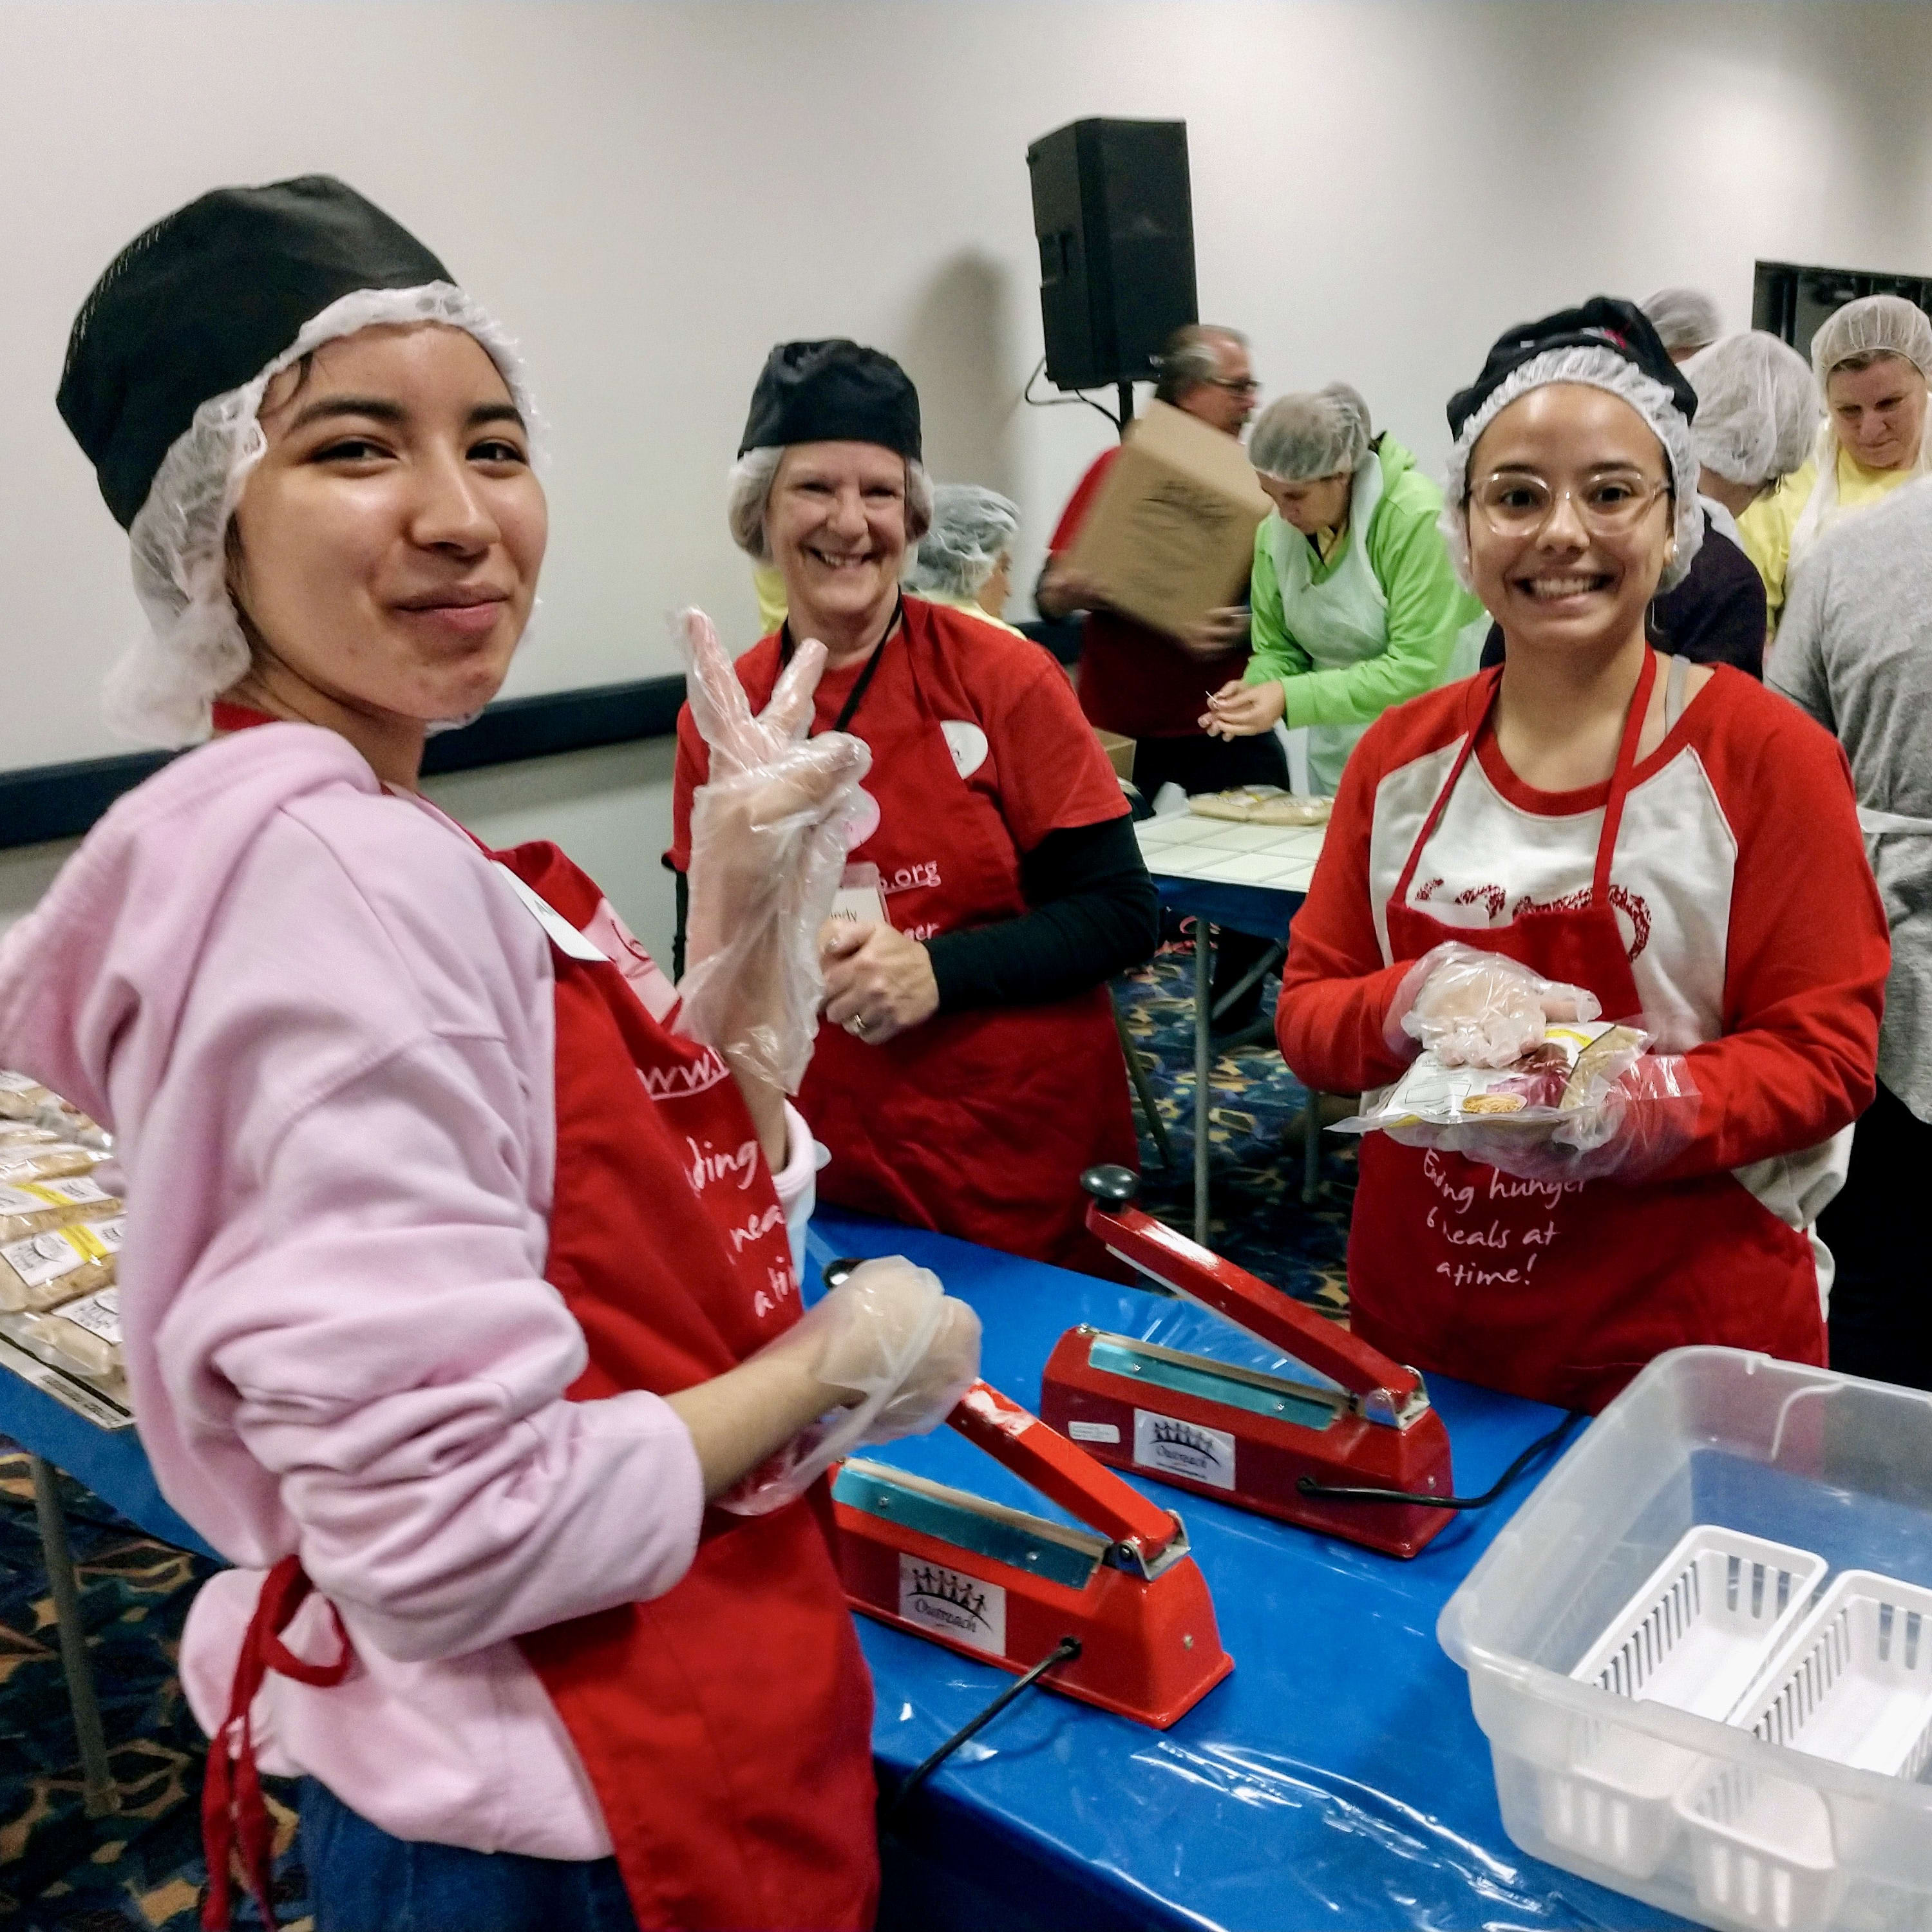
(654, 194)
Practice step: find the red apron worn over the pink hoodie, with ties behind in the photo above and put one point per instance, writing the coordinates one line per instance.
(725, 1726)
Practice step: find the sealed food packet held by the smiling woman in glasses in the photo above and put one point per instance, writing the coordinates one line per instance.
(1562, 1079)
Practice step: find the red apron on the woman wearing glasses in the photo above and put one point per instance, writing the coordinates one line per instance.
(1562, 1293)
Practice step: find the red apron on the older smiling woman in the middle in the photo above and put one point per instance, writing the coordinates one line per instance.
(975, 1123)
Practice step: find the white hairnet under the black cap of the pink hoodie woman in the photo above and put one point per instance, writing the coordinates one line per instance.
(194, 648)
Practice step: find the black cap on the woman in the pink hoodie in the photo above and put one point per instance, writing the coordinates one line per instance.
(204, 302)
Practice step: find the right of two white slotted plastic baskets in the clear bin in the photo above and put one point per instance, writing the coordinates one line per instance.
(1854, 1686)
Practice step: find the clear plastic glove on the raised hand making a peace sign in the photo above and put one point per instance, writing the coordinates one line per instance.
(770, 838)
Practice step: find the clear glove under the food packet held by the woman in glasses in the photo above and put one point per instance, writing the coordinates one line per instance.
(1630, 1131)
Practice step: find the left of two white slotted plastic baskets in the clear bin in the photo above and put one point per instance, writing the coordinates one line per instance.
(1695, 1637)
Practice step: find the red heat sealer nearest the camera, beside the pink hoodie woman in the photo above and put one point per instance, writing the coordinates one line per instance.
(1009, 1587)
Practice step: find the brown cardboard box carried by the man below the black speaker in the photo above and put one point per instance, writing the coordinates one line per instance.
(1172, 536)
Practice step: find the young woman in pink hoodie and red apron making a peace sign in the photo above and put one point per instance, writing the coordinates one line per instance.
(459, 1284)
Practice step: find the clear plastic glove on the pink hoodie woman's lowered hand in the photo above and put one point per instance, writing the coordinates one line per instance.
(897, 1344)
